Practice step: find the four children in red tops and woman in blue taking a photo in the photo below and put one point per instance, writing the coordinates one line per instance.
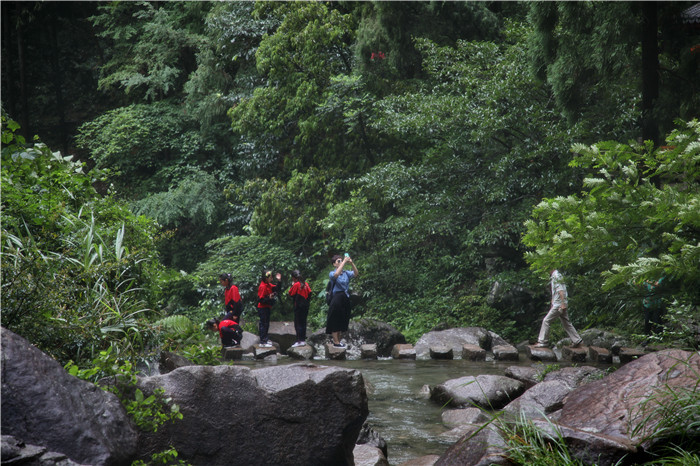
(271, 288)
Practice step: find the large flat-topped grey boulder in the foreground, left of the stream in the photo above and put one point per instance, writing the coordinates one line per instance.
(282, 415)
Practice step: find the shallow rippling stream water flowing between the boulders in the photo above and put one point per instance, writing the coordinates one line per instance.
(400, 410)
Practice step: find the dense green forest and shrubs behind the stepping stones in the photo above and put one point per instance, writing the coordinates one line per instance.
(457, 150)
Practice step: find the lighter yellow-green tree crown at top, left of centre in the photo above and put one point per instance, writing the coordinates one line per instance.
(310, 46)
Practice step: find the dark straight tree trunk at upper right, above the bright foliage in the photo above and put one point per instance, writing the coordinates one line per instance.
(650, 71)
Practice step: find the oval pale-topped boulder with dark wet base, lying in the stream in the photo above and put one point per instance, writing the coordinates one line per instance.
(483, 391)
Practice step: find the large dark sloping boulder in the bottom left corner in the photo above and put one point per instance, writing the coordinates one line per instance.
(43, 405)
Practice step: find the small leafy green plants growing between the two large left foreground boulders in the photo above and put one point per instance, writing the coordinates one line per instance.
(119, 377)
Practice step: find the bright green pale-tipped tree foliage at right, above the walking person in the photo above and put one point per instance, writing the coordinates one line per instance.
(637, 219)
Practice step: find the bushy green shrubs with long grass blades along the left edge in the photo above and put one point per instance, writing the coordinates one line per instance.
(77, 267)
